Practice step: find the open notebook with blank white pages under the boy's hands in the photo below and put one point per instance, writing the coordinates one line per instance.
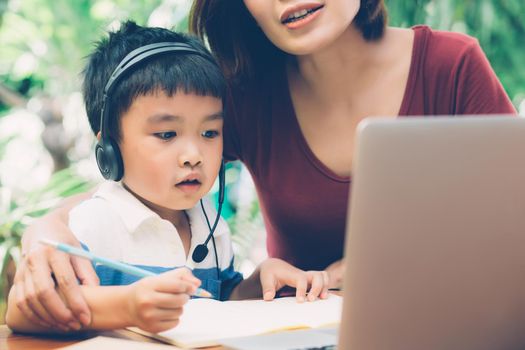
(205, 321)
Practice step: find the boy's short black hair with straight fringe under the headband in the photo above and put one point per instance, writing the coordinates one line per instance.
(169, 72)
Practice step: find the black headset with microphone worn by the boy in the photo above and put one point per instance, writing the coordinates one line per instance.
(107, 152)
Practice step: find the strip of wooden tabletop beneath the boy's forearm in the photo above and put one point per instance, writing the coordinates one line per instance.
(11, 341)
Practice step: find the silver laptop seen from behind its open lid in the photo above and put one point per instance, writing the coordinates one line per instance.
(435, 247)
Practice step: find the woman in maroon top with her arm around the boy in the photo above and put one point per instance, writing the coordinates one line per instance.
(302, 75)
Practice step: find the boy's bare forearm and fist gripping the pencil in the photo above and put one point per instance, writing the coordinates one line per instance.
(153, 304)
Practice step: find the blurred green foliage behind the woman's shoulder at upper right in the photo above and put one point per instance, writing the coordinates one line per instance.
(497, 24)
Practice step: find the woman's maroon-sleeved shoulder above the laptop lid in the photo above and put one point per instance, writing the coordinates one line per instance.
(452, 68)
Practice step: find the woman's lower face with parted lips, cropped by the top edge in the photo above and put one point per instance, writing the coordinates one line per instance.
(302, 27)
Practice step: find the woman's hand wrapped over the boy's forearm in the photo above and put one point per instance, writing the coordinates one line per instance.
(37, 295)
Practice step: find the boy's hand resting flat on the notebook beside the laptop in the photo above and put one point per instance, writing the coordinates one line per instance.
(276, 273)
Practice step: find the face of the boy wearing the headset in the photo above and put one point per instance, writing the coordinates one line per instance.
(172, 147)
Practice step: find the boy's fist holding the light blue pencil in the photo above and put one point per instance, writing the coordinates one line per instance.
(156, 302)
